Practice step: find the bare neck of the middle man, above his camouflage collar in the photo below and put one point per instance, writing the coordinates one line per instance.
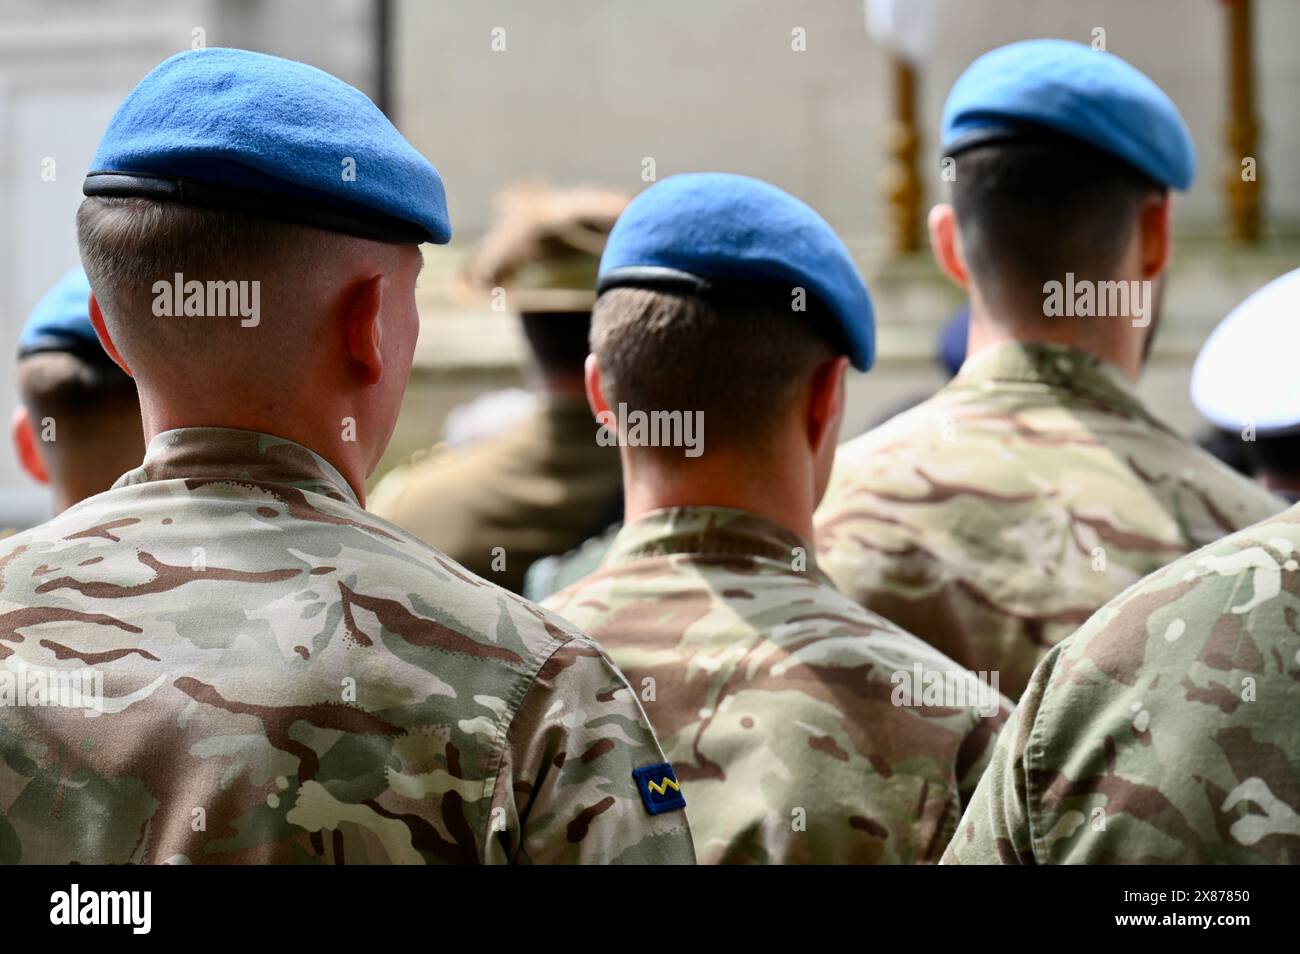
(782, 492)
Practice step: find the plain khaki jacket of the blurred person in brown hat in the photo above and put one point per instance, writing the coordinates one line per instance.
(499, 506)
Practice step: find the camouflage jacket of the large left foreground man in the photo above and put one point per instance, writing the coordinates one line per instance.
(281, 678)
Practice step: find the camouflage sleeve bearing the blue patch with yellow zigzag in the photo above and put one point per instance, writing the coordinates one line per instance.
(566, 792)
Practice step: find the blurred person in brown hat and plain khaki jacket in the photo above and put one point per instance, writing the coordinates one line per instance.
(545, 484)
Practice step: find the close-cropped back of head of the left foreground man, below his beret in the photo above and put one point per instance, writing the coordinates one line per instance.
(181, 287)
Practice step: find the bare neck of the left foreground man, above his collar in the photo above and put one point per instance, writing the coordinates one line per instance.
(339, 445)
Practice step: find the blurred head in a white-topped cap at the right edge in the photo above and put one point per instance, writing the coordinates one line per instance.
(1245, 384)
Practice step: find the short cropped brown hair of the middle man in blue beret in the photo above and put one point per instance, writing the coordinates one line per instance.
(740, 362)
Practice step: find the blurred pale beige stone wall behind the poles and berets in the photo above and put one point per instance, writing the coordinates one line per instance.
(587, 90)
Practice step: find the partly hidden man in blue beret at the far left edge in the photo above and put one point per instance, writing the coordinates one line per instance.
(79, 426)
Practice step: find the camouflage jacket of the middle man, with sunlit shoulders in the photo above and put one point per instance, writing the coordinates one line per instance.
(786, 709)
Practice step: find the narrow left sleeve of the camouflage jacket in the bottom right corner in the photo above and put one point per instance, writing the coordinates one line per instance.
(996, 827)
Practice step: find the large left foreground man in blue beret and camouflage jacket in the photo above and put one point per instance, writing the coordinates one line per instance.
(275, 674)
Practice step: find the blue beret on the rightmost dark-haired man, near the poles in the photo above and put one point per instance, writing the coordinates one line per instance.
(1077, 92)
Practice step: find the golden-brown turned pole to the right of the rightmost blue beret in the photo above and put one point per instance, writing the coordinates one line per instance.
(1241, 183)
